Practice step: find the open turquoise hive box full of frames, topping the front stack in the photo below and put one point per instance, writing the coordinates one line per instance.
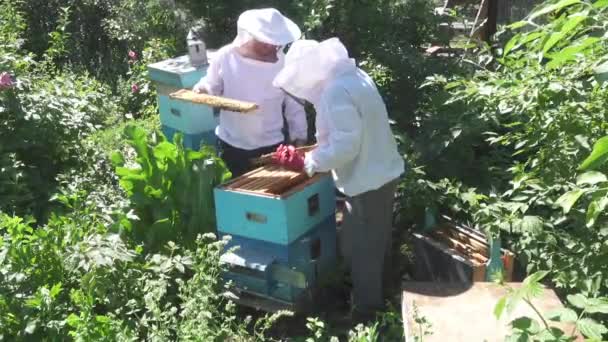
(274, 205)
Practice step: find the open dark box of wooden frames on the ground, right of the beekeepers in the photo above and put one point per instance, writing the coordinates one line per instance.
(453, 253)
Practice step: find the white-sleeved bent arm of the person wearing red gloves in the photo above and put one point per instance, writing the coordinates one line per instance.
(345, 131)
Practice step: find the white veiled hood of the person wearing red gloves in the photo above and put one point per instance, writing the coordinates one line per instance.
(310, 64)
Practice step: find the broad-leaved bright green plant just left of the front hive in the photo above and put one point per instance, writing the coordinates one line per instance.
(170, 188)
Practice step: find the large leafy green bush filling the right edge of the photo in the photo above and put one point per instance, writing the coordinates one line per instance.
(506, 143)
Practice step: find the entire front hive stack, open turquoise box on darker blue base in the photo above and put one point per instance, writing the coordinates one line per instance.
(284, 226)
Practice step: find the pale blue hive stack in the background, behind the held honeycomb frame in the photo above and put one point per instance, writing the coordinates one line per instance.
(196, 121)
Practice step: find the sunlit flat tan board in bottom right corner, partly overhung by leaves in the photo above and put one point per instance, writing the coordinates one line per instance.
(464, 313)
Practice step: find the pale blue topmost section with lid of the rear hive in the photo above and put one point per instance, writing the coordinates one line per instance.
(176, 72)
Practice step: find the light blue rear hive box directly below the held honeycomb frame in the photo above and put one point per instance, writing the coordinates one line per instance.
(187, 117)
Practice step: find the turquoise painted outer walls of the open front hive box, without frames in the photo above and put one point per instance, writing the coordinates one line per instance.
(272, 219)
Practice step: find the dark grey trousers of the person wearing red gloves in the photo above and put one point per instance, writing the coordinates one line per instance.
(366, 242)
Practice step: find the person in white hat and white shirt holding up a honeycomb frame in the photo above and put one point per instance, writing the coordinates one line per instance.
(244, 70)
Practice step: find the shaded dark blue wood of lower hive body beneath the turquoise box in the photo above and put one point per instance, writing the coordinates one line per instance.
(313, 254)
